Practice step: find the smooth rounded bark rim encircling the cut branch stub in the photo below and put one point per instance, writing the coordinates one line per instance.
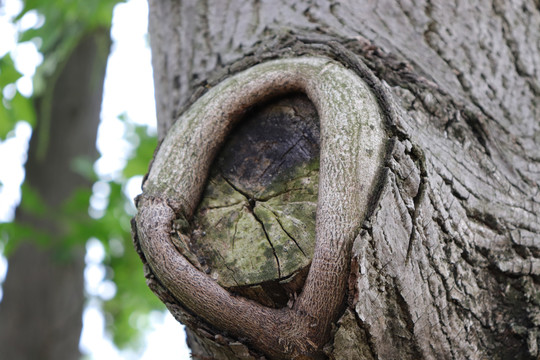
(352, 154)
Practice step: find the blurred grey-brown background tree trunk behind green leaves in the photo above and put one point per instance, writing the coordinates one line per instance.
(41, 312)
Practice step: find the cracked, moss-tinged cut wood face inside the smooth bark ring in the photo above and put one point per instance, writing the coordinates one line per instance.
(259, 205)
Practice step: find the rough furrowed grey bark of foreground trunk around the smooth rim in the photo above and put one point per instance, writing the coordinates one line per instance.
(447, 262)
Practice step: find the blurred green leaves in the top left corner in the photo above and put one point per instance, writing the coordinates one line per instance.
(65, 22)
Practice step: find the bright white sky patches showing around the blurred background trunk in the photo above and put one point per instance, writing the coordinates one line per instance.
(128, 89)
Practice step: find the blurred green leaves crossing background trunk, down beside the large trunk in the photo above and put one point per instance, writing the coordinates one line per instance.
(128, 311)
